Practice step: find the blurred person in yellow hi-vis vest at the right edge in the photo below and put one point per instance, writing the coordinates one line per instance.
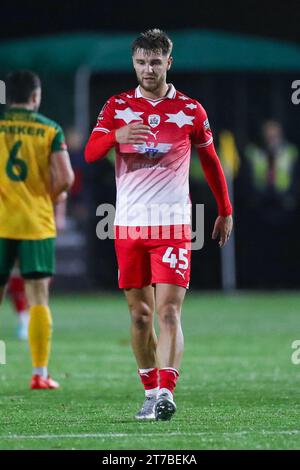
(268, 202)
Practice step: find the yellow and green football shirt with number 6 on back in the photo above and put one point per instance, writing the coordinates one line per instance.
(27, 140)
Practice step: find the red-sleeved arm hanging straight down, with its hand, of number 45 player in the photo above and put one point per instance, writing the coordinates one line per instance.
(214, 174)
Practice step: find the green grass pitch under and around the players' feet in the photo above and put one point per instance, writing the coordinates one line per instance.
(238, 388)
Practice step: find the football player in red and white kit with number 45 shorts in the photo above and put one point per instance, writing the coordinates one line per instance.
(152, 129)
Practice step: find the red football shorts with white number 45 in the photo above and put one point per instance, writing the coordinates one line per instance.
(151, 255)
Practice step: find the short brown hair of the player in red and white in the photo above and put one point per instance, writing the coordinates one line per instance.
(153, 40)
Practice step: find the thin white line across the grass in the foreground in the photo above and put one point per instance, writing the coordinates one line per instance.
(121, 435)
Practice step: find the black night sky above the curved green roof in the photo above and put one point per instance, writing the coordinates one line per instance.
(265, 18)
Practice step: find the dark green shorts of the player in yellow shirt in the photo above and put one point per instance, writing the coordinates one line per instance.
(36, 258)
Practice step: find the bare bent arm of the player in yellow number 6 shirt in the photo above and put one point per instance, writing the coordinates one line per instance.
(61, 174)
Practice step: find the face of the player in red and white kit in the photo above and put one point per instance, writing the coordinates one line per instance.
(151, 69)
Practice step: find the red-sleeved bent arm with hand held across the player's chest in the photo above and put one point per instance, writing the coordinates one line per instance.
(104, 135)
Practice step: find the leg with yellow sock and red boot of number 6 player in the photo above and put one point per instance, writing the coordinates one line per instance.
(40, 330)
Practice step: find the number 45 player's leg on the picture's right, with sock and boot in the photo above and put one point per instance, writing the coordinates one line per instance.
(169, 299)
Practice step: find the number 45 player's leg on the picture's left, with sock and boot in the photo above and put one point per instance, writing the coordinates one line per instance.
(144, 343)
